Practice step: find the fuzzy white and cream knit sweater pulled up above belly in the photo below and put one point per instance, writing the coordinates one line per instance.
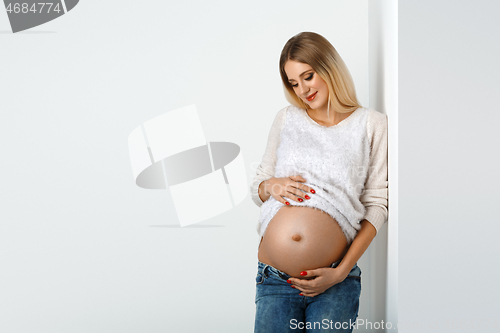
(345, 164)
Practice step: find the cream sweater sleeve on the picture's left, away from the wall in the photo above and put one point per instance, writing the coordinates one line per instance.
(266, 168)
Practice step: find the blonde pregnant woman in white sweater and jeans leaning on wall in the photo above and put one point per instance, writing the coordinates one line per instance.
(322, 188)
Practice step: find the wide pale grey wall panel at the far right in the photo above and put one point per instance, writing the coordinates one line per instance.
(448, 159)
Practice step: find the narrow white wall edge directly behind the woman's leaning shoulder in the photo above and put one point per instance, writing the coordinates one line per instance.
(383, 252)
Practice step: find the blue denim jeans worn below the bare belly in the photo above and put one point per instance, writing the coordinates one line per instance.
(281, 309)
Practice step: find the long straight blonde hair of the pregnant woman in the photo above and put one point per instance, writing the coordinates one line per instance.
(316, 51)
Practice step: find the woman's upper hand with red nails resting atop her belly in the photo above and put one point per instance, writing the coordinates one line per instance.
(288, 187)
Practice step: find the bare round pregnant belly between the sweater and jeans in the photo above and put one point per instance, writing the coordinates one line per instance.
(301, 238)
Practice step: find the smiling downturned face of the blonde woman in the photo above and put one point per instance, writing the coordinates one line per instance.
(307, 84)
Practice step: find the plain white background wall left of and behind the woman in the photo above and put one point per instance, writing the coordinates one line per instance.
(82, 248)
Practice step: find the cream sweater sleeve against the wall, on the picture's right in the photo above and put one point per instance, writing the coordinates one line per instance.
(375, 195)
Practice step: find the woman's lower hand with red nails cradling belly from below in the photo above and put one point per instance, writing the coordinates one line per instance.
(324, 278)
